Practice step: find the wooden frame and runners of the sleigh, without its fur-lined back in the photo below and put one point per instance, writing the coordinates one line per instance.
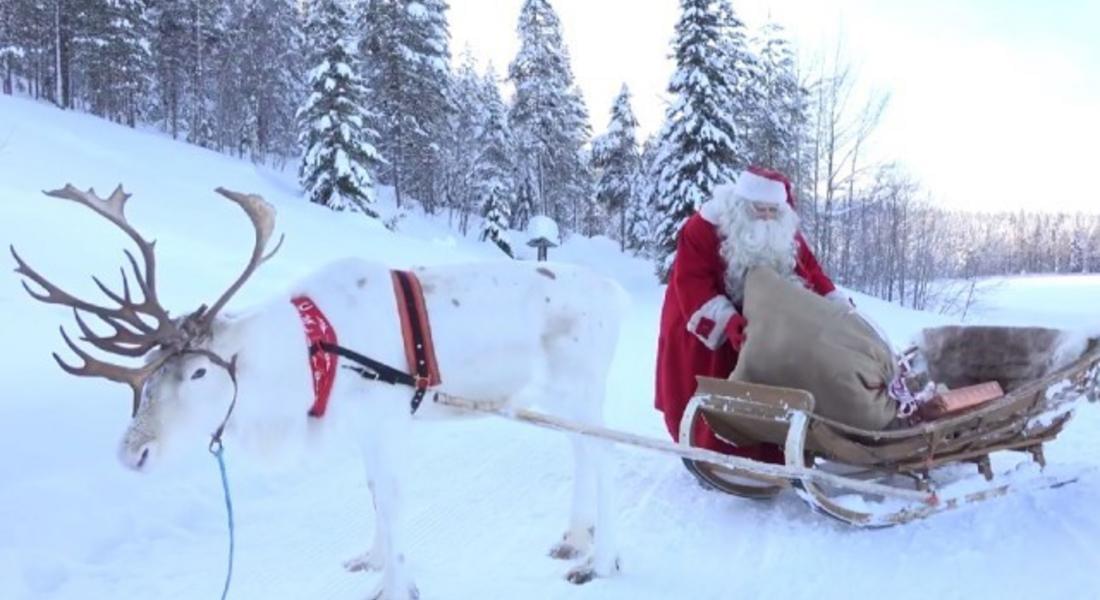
(1024, 420)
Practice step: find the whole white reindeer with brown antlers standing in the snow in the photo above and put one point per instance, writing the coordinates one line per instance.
(510, 333)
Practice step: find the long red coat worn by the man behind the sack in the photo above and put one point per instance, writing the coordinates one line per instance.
(692, 340)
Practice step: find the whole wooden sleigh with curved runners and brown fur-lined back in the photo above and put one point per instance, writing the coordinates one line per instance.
(881, 478)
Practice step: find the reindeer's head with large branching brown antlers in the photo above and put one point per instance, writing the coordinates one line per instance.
(184, 381)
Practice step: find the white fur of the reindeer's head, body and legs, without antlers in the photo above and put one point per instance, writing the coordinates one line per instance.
(511, 332)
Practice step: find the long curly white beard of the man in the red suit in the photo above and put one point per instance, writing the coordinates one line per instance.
(747, 244)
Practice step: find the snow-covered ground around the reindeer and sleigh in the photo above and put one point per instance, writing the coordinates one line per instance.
(74, 525)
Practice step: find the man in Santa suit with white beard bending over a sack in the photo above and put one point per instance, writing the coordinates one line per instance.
(745, 225)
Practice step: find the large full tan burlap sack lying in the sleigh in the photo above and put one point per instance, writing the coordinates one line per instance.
(799, 340)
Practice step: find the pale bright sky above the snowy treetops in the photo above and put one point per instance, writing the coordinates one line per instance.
(994, 105)
